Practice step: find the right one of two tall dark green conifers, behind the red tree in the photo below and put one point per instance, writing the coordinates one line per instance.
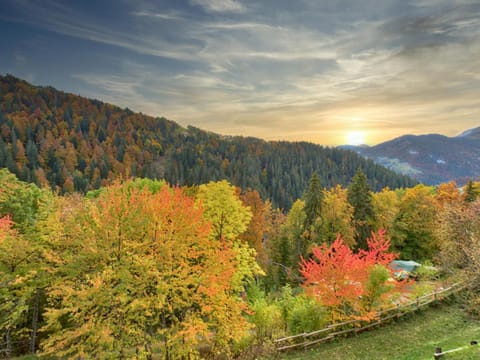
(359, 196)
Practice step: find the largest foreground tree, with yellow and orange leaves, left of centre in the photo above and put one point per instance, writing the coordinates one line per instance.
(135, 268)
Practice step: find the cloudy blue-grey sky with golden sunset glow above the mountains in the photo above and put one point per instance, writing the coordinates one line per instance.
(331, 72)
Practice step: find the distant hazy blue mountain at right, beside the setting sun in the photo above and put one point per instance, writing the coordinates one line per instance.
(432, 158)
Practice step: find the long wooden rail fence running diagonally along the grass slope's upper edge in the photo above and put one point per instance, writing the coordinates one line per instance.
(355, 326)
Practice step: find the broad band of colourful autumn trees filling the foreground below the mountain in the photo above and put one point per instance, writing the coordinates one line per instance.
(140, 269)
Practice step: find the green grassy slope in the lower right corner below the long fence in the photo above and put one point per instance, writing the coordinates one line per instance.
(413, 338)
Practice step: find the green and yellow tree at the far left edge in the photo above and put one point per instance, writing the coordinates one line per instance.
(21, 265)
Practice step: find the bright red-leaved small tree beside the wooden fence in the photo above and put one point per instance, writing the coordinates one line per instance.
(342, 280)
